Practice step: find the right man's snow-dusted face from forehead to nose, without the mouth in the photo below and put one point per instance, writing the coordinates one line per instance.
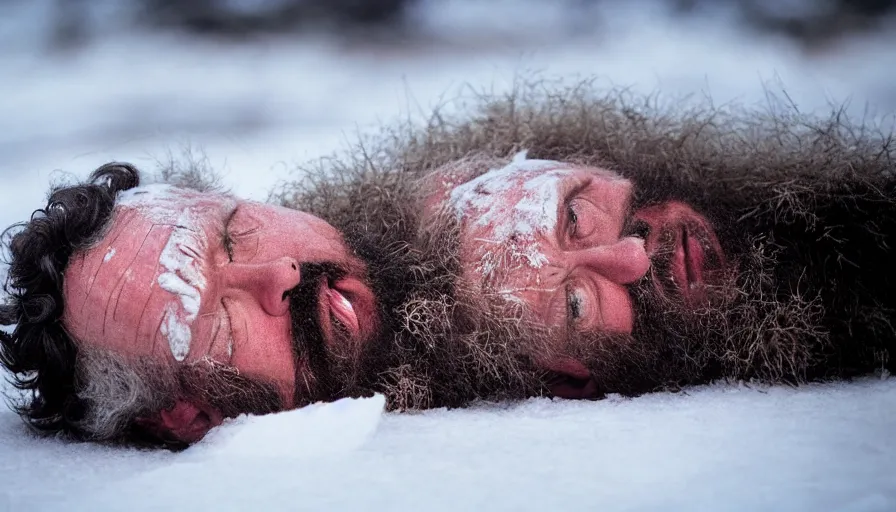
(553, 237)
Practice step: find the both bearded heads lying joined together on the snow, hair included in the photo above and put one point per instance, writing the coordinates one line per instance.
(676, 249)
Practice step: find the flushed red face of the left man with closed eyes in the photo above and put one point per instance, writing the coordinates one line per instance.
(182, 276)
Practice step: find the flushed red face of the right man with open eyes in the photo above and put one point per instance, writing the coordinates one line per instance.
(565, 242)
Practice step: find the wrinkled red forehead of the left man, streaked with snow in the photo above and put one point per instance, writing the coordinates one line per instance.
(157, 243)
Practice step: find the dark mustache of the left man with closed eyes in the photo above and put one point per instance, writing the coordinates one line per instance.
(309, 344)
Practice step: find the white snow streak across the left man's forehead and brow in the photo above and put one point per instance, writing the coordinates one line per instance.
(181, 264)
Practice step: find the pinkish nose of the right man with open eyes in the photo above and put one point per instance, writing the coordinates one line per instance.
(622, 262)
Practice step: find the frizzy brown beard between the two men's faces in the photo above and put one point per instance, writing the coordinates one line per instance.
(440, 345)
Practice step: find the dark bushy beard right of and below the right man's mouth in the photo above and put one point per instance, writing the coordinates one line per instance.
(786, 307)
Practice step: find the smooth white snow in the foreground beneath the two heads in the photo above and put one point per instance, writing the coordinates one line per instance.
(815, 448)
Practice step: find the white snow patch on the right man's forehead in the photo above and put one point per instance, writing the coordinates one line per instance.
(517, 205)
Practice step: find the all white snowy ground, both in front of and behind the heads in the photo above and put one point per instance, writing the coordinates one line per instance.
(256, 109)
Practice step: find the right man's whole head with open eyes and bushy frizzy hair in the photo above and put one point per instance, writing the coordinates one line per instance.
(650, 248)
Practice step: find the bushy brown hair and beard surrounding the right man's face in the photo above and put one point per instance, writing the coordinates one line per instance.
(803, 208)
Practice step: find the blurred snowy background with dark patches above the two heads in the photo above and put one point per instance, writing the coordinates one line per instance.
(254, 86)
